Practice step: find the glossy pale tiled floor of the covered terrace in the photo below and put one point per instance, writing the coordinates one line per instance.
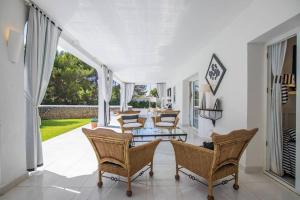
(70, 173)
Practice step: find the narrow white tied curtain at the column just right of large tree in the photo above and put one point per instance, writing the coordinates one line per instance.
(107, 81)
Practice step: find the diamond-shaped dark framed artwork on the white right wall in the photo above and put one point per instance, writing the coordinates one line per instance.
(215, 73)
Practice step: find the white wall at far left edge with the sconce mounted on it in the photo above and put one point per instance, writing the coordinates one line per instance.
(12, 108)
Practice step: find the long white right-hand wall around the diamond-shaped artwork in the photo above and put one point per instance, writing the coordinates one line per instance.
(231, 46)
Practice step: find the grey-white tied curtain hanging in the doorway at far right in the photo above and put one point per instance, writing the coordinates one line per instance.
(276, 54)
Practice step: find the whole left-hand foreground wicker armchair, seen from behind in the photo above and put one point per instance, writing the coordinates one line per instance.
(115, 156)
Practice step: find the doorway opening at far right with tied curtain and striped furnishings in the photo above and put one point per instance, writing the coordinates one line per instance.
(282, 115)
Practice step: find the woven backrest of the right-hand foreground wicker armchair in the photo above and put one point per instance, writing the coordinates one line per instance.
(229, 148)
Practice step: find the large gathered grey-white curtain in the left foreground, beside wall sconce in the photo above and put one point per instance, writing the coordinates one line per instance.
(41, 44)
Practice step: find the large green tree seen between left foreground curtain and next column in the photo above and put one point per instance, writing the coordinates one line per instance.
(72, 82)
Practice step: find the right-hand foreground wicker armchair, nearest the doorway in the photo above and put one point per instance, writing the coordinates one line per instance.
(215, 164)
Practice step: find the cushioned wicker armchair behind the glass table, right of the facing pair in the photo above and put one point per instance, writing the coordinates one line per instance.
(168, 119)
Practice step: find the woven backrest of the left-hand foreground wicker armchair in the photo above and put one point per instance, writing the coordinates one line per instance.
(109, 146)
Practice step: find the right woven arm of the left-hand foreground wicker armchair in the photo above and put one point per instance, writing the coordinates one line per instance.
(141, 155)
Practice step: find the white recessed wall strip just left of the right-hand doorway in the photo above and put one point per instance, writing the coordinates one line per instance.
(256, 108)
